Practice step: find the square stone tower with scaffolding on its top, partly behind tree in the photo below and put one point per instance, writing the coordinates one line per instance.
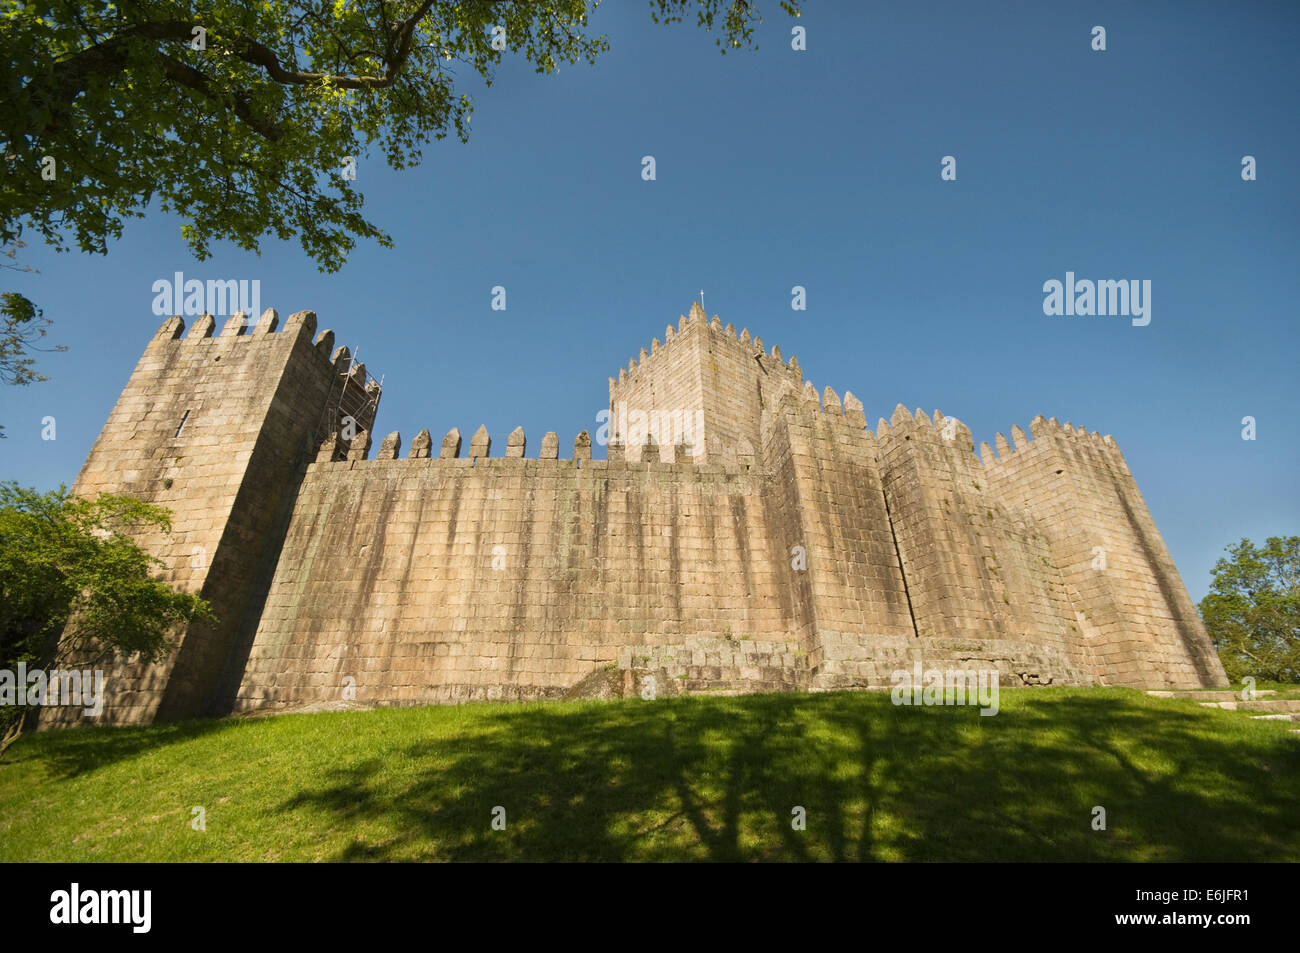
(219, 430)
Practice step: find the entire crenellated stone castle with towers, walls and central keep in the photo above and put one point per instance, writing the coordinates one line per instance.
(746, 534)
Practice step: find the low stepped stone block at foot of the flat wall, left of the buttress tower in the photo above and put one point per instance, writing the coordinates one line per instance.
(714, 666)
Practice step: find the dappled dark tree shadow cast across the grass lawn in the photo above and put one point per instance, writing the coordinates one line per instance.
(718, 779)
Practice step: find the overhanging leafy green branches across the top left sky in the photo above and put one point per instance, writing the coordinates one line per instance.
(241, 116)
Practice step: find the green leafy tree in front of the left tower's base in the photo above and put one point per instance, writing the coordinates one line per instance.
(76, 586)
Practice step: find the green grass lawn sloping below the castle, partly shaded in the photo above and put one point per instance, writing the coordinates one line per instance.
(669, 781)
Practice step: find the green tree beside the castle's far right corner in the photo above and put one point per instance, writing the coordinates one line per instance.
(1253, 612)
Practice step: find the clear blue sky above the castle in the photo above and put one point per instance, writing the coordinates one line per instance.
(818, 168)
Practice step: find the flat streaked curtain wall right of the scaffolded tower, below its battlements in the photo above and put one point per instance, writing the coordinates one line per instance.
(441, 581)
